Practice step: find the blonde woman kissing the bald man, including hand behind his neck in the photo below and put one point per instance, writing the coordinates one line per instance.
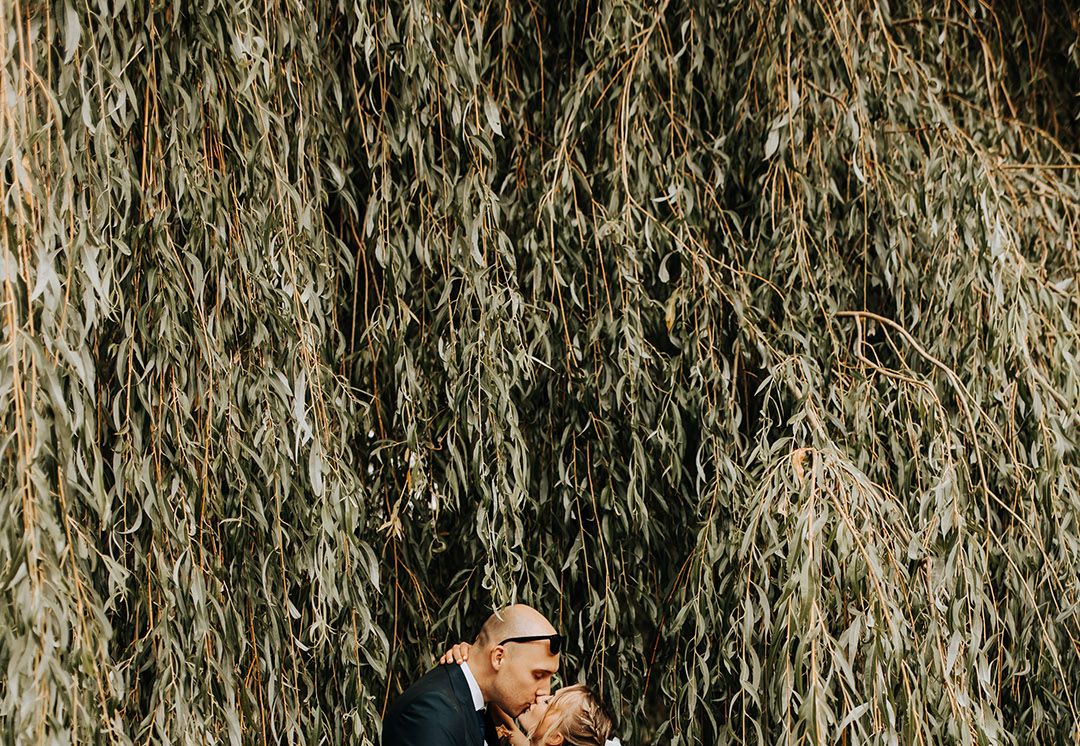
(574, 716)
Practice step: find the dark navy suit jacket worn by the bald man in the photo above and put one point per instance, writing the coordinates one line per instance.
(437, 711)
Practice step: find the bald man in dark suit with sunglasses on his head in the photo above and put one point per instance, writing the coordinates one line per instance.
(510, 666)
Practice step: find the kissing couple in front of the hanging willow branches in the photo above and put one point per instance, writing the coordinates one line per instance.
(476, 696)
